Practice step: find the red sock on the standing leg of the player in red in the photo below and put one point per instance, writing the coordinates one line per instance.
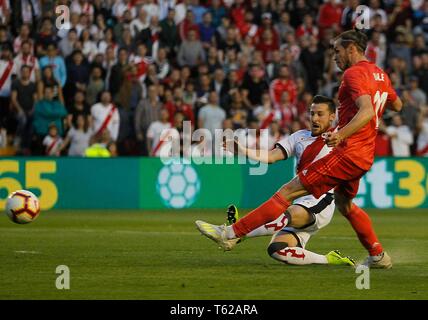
(362, 225)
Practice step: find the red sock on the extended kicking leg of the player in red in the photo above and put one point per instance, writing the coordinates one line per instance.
(267, 212)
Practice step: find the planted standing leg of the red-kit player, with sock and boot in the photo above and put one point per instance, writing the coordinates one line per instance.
(362, 225)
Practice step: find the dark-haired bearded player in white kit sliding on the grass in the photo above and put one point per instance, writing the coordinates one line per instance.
(292, 230)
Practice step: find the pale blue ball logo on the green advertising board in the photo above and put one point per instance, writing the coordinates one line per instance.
(178, 185)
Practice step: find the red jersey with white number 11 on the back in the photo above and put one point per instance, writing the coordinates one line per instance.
(363, 78)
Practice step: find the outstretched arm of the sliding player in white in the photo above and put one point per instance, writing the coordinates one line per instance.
(264, 156)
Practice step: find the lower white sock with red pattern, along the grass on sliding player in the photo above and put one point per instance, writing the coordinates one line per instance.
(299, 256)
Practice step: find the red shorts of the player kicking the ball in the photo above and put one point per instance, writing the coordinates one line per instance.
(335, 170)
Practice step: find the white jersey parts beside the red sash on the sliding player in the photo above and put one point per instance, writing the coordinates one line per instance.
(295, 145)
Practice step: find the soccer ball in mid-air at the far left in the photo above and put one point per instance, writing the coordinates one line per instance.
(22, 207)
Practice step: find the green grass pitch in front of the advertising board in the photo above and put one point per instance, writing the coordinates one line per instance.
(161, 255)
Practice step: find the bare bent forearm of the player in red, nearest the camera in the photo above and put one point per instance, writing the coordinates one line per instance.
(362, 117)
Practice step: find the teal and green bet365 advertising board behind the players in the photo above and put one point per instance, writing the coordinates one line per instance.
(148, 183)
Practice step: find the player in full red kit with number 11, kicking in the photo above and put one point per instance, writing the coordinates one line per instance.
(364, 93)
